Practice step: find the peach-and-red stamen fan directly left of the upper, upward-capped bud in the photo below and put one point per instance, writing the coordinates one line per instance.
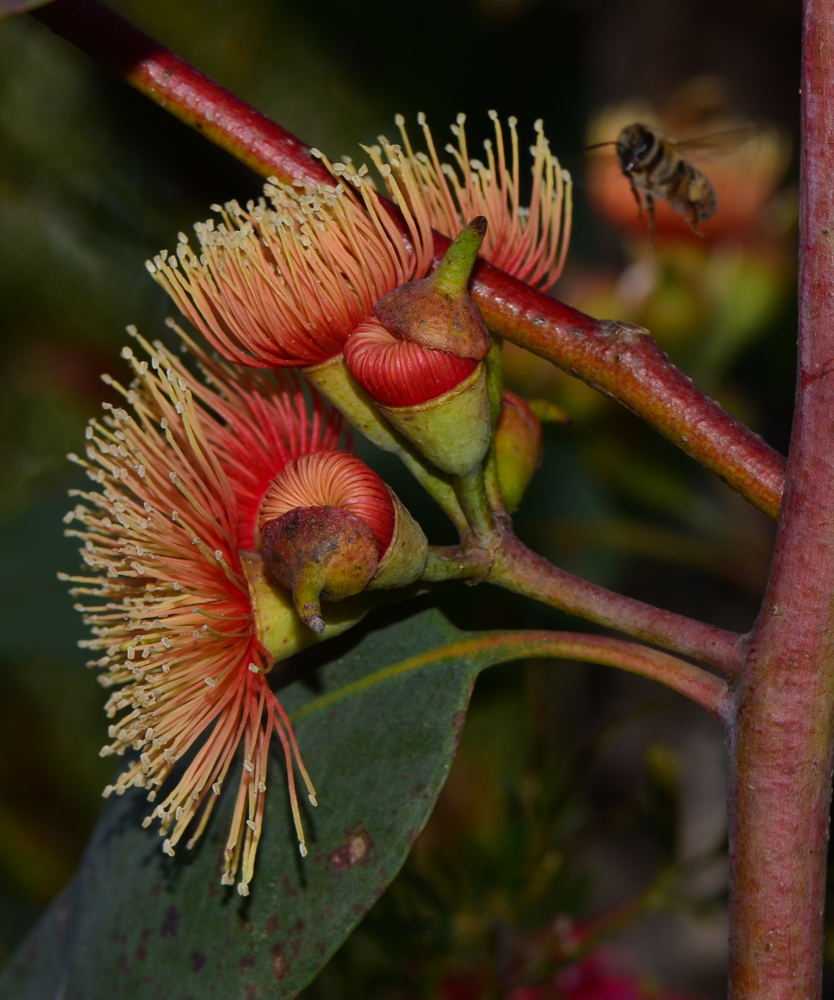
(284, 283)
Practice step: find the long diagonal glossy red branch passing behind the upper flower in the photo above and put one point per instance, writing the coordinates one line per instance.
(621, 361)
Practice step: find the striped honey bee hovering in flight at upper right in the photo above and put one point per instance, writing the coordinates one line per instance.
(655, 167)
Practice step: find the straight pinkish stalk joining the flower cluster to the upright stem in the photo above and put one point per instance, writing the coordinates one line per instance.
(519, 569)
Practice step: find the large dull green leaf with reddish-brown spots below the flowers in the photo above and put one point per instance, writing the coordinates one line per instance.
(378, 729)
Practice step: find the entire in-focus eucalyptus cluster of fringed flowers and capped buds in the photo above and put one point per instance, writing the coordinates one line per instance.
(232, 517)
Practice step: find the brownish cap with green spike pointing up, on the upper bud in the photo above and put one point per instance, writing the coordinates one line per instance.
(437, 312)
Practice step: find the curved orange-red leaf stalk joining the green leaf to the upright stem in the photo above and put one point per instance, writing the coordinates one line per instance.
(700, 686)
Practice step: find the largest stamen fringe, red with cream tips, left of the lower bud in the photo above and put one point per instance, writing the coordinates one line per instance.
(167, 596)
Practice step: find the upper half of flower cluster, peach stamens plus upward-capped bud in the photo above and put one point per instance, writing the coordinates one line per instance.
(326, 280)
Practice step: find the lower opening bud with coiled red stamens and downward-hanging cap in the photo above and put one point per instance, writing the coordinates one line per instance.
(331, 527)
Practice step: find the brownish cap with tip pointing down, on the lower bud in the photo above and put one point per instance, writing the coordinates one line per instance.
(320, 553)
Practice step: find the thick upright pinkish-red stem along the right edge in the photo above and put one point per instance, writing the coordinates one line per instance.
(782, 737)
